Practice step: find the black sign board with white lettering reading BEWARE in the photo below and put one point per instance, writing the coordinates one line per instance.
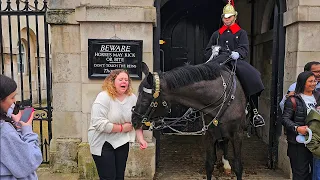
(105, 55)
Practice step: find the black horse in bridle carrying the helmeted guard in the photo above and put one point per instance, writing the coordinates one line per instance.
(210, 88)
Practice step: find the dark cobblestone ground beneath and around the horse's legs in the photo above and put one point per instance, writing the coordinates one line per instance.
(182, 158)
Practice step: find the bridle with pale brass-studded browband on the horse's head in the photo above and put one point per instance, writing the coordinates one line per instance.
(155, 91)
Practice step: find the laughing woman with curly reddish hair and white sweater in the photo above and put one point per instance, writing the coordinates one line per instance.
(110, 128)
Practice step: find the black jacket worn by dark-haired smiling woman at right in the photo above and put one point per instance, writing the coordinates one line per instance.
(292, 118)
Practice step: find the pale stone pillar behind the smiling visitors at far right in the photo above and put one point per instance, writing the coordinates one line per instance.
(302, 22)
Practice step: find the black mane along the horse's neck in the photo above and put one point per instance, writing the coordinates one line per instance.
(189, 74)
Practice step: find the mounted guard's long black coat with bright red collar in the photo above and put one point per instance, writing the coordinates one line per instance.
(236, 39)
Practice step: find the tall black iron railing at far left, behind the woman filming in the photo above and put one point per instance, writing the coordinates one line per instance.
(24, 56)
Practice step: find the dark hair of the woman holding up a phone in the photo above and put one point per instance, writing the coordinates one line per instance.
(7, 86)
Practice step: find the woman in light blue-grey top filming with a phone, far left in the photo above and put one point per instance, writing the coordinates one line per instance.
(20, 155)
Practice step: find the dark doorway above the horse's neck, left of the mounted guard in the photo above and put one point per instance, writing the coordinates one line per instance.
(186, 27)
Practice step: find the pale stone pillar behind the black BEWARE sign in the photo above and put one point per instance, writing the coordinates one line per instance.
(72, 24)
